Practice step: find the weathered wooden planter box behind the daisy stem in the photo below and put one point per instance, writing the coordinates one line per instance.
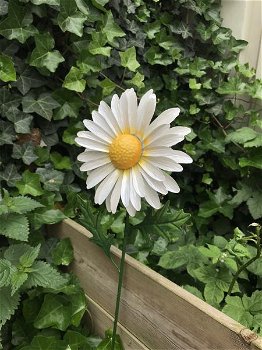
(155, 313)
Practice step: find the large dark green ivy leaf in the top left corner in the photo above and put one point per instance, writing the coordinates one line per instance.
(17, 25)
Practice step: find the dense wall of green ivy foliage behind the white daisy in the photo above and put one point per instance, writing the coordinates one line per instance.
(59, 58)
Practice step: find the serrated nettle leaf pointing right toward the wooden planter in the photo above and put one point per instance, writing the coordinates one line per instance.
(44, 275)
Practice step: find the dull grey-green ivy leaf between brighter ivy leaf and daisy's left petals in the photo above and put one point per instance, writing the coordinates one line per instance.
(51, 179)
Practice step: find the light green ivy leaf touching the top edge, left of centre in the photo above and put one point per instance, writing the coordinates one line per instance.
(69, 18)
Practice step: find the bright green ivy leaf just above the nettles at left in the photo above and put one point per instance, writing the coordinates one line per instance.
(30, 184)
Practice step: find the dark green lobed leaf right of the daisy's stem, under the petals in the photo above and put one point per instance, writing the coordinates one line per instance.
(165, 222)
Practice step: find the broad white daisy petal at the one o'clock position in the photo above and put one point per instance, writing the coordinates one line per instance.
(146, 109)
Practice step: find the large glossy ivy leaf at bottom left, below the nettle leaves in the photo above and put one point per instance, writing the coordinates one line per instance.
(55, 312)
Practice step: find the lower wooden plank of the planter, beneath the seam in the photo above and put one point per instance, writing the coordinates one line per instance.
(101, 321)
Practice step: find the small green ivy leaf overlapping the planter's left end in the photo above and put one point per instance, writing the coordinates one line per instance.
(63, 253)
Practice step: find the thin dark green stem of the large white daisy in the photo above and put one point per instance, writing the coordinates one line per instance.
(120, 280)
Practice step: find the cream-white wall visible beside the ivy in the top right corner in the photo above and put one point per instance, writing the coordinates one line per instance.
(244, 17)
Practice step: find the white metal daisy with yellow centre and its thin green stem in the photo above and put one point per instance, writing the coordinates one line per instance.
(128, 157)
